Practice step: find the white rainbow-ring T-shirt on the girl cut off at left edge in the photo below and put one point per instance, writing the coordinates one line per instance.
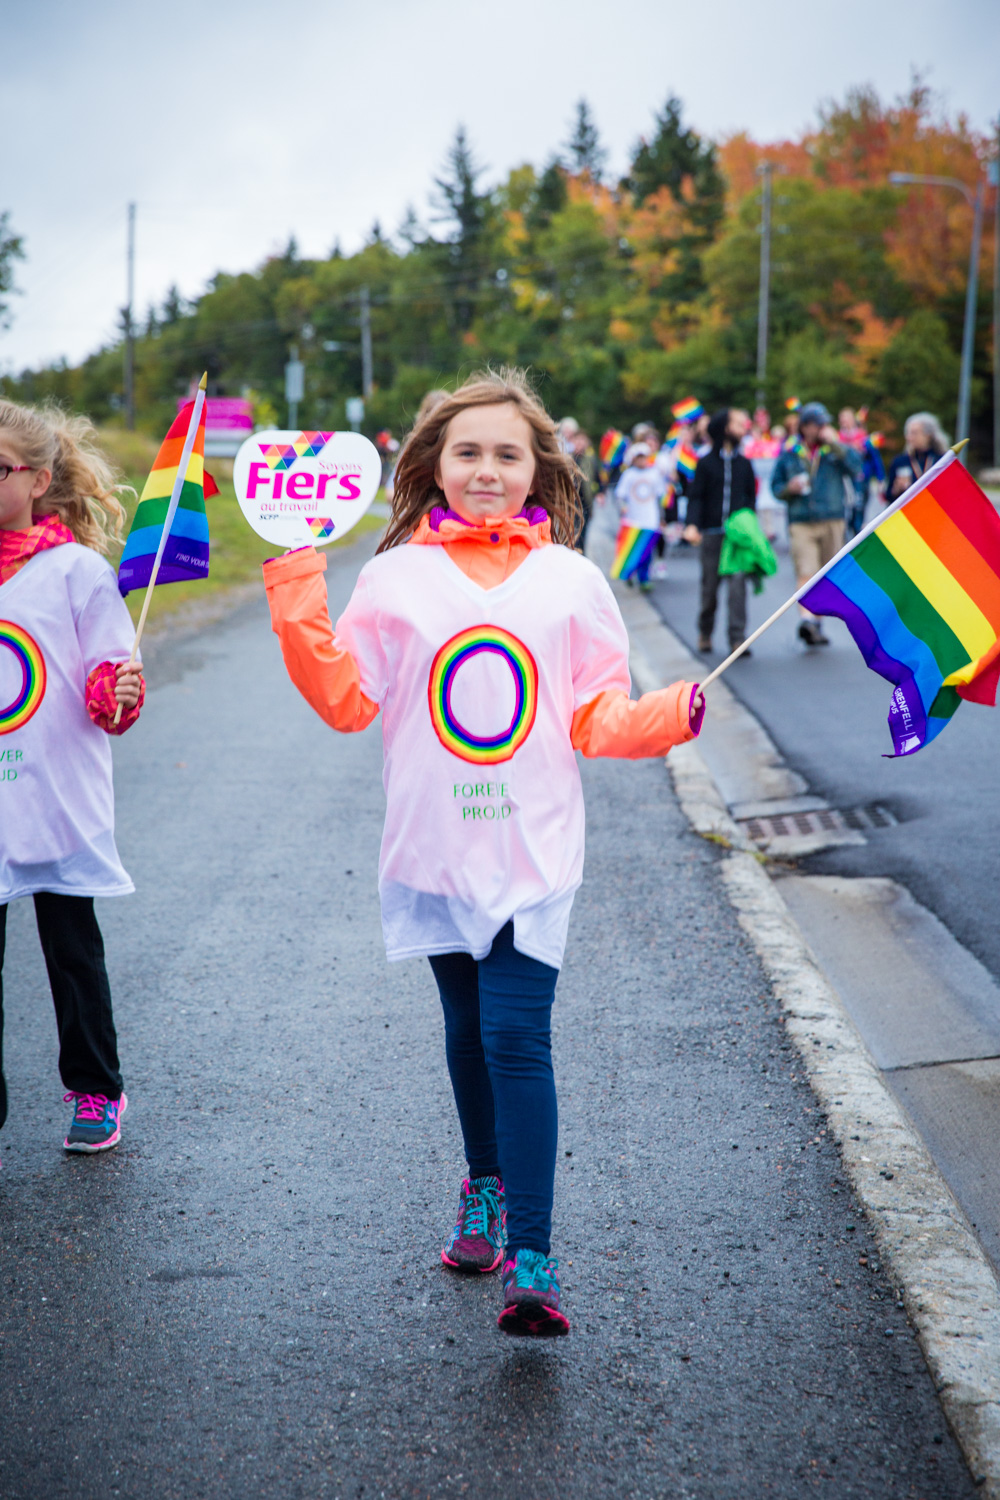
(61, 617)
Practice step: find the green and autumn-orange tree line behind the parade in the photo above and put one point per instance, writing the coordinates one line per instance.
(623, 296)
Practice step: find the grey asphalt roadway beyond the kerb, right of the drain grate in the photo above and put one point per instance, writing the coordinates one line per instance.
(827, 713)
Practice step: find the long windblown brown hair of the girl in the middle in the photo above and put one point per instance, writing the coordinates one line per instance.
(416, 490)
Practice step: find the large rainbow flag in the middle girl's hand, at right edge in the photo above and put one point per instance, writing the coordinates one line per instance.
(920, 592)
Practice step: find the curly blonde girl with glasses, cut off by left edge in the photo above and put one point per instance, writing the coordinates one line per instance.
(65, 637)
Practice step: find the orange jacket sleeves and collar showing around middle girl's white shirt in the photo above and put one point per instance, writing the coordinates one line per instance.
(329, 679)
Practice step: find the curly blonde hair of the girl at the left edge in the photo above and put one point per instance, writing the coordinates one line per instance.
(85, 490)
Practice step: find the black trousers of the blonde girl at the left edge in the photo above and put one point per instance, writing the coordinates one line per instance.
(74, 958)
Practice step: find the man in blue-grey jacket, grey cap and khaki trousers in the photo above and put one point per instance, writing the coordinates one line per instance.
(810, 478)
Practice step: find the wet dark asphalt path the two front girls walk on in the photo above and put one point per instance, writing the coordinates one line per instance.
(247, 1297)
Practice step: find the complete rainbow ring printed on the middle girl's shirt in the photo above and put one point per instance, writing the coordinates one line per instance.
(455, 655)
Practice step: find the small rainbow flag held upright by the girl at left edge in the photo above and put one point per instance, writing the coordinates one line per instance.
(187, 550)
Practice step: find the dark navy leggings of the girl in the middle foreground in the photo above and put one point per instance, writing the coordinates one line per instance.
(499, 1045)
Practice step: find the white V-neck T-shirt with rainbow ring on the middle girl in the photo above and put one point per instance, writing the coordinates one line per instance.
(478, 689)
